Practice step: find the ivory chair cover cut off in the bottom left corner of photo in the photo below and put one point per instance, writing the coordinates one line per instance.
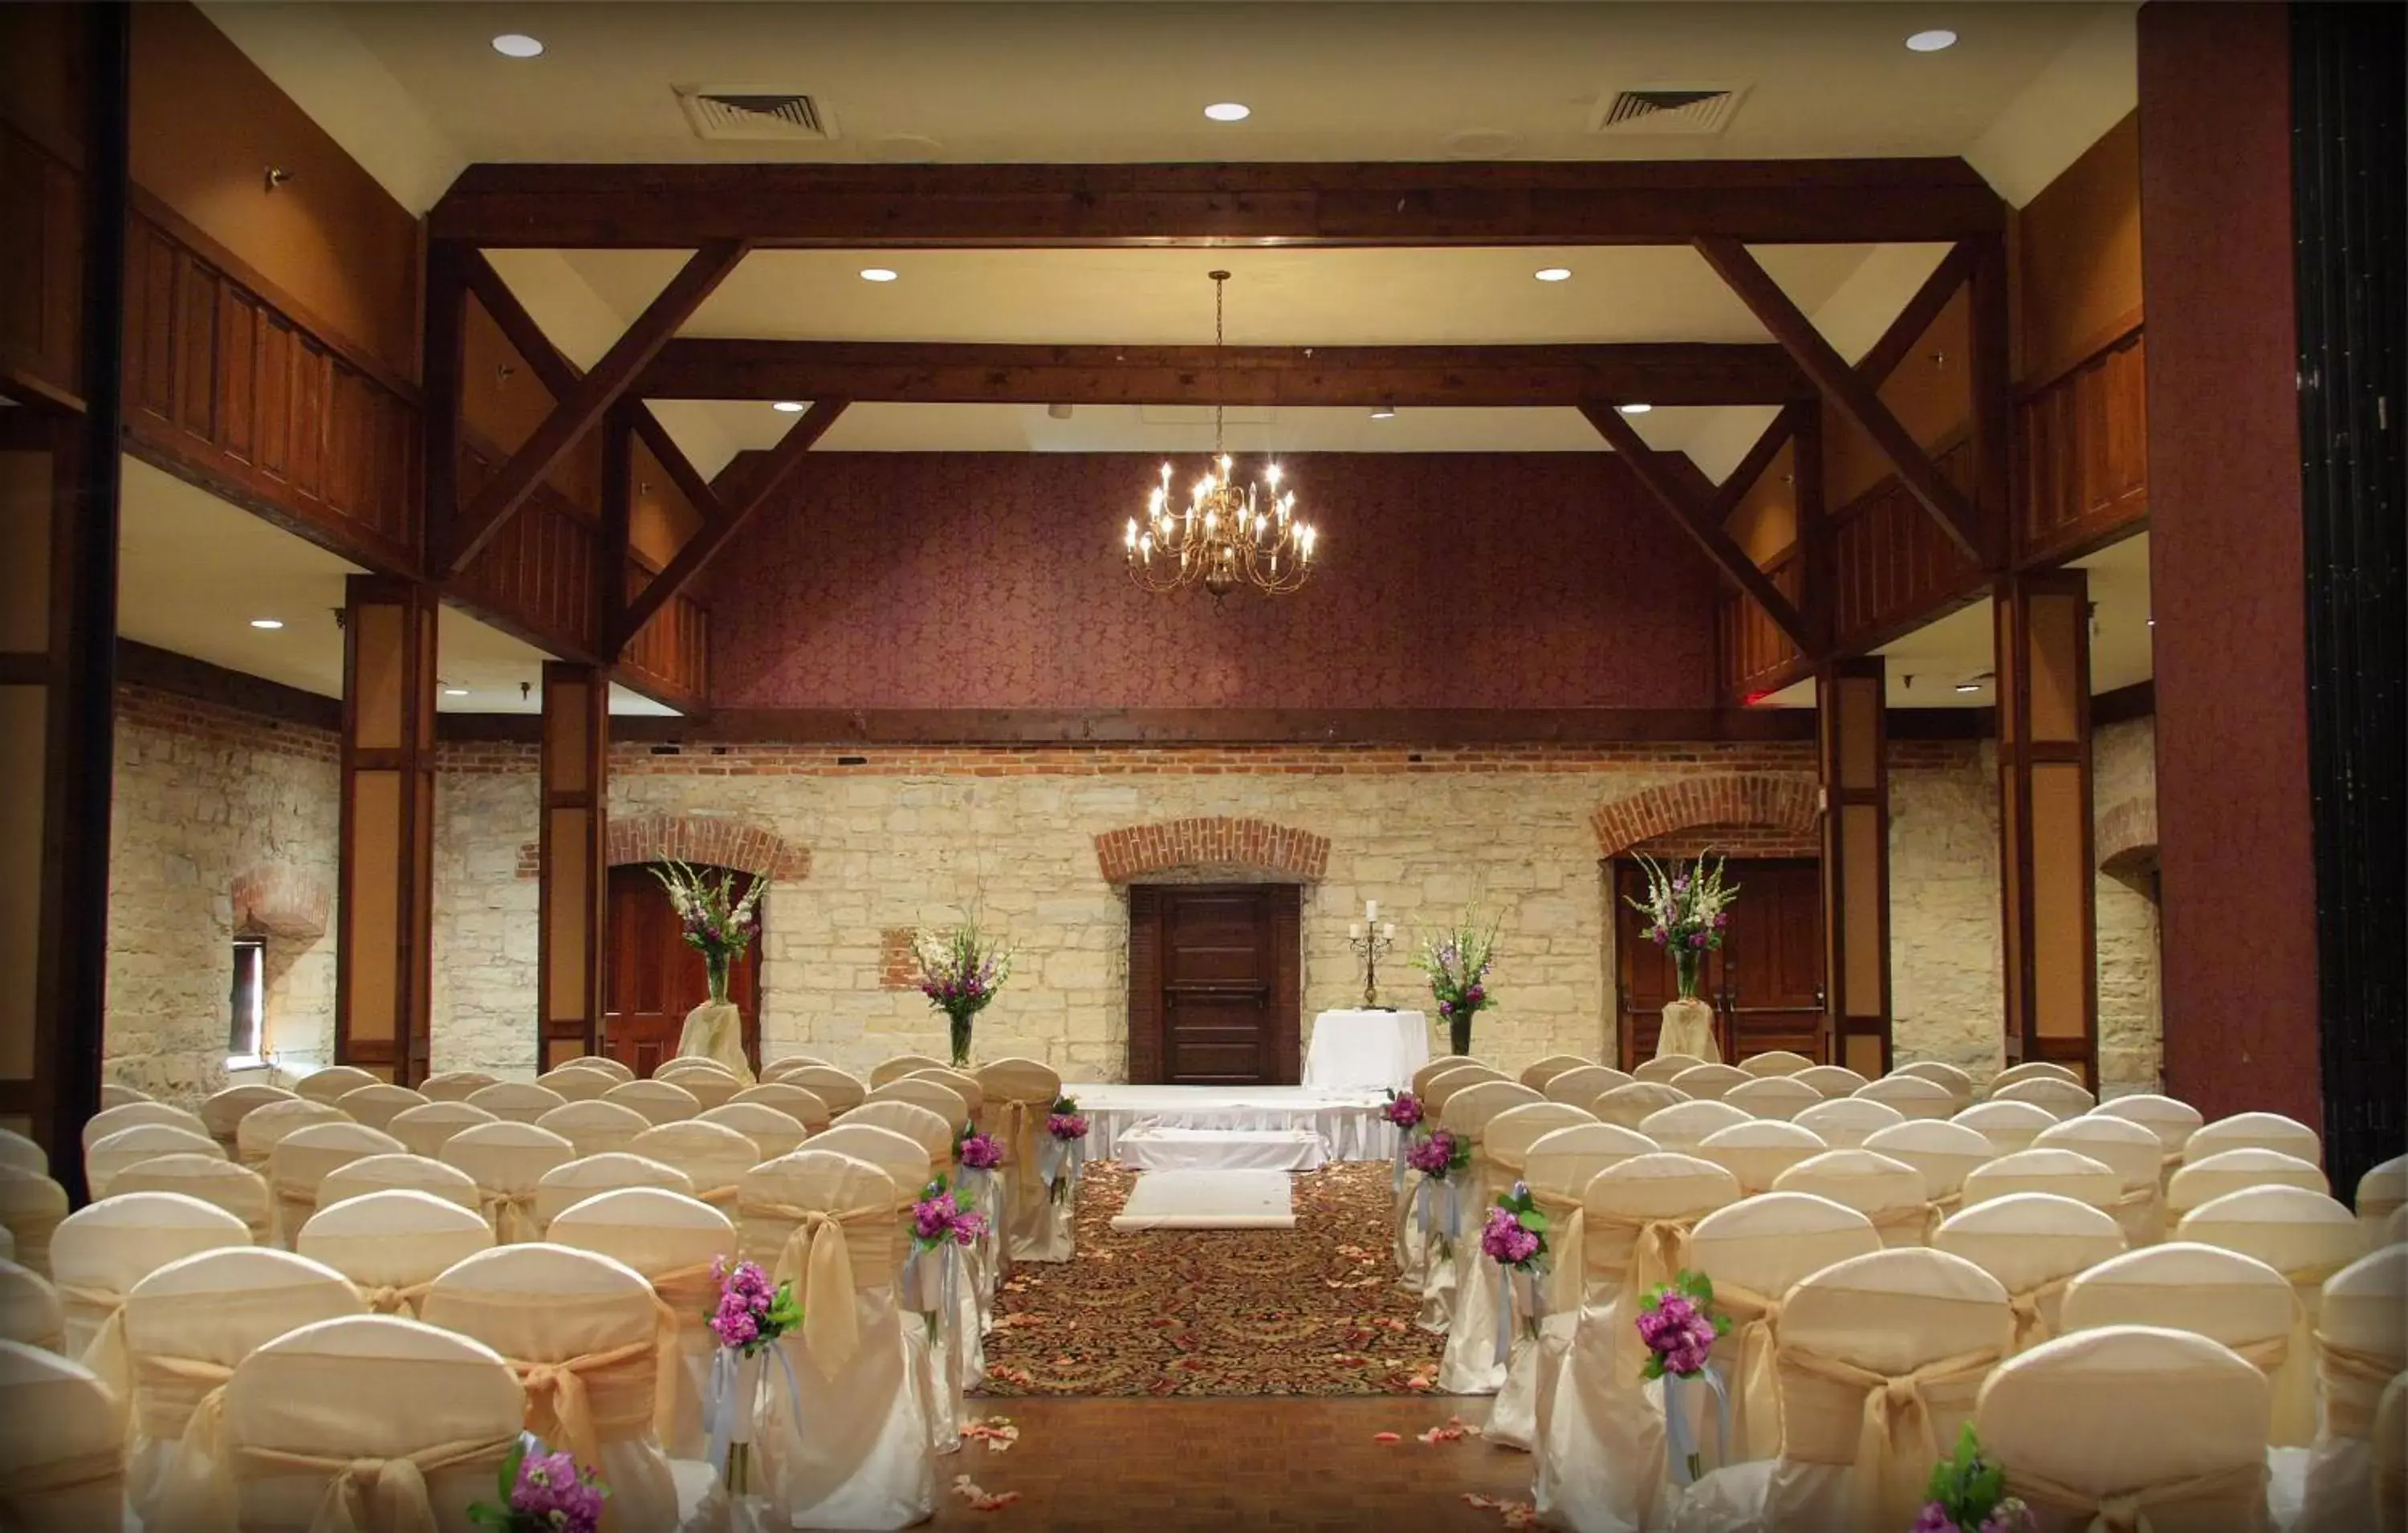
(61, 1452)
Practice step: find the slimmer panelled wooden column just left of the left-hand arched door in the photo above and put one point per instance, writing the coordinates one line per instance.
(574, 860)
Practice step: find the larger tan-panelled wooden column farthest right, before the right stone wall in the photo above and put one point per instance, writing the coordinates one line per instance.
(2046, 865)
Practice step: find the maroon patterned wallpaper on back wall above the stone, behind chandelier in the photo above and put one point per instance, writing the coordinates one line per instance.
(996, 581)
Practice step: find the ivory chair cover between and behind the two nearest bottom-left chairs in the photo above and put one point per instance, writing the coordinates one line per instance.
(187, 1327)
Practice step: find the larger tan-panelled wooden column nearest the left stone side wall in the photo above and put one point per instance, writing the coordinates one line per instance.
(384, 952)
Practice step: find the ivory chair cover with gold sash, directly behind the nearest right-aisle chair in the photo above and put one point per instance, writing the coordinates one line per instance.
(1879, 1363)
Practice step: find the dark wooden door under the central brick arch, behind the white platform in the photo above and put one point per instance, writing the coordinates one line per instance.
(1215, 978)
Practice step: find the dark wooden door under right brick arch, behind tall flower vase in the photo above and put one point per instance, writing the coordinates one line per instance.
(1766, 983)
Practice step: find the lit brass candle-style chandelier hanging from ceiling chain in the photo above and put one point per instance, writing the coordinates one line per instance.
(1227, 535)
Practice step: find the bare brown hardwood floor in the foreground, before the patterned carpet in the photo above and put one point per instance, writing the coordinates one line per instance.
(1114, 1464)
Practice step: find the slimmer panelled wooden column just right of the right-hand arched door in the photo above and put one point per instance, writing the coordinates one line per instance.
(1855, 762)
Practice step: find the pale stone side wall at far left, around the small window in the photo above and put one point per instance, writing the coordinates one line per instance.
(225, 822)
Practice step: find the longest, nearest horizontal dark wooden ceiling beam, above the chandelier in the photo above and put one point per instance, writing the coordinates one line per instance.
(1032, 206)
